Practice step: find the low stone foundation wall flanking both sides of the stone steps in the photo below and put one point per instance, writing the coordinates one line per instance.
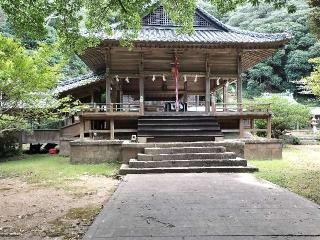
(99, 151)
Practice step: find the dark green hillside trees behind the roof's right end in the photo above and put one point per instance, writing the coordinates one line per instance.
(288, 65)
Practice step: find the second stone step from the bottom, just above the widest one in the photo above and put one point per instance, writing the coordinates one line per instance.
(133, 163)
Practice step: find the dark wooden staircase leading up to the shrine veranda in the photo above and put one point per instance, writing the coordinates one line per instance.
(170, 128)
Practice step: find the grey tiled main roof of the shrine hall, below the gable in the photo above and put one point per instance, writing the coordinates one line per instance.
(214, 33)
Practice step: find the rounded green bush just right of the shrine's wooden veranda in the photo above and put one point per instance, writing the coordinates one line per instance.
(286, 115)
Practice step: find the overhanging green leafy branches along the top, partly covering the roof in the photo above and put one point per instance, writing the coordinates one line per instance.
(77, 22)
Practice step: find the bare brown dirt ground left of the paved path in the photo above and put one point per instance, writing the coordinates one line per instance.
(33, 211)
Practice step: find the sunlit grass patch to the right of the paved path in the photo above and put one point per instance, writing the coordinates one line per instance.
(298, 171)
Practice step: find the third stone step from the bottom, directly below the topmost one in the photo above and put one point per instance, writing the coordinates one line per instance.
(185, 156)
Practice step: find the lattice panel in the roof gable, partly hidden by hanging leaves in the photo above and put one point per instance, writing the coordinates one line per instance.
(160, 18)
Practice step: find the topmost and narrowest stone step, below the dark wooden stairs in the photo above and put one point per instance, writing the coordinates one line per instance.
(172, 150)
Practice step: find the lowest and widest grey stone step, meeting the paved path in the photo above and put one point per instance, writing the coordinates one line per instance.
(227, 169)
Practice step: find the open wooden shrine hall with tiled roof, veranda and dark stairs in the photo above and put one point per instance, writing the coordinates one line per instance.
(171, 86)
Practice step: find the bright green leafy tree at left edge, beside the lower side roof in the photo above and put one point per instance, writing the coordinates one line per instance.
(26, 81)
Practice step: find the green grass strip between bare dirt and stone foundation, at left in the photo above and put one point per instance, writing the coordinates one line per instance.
(48, 169)
